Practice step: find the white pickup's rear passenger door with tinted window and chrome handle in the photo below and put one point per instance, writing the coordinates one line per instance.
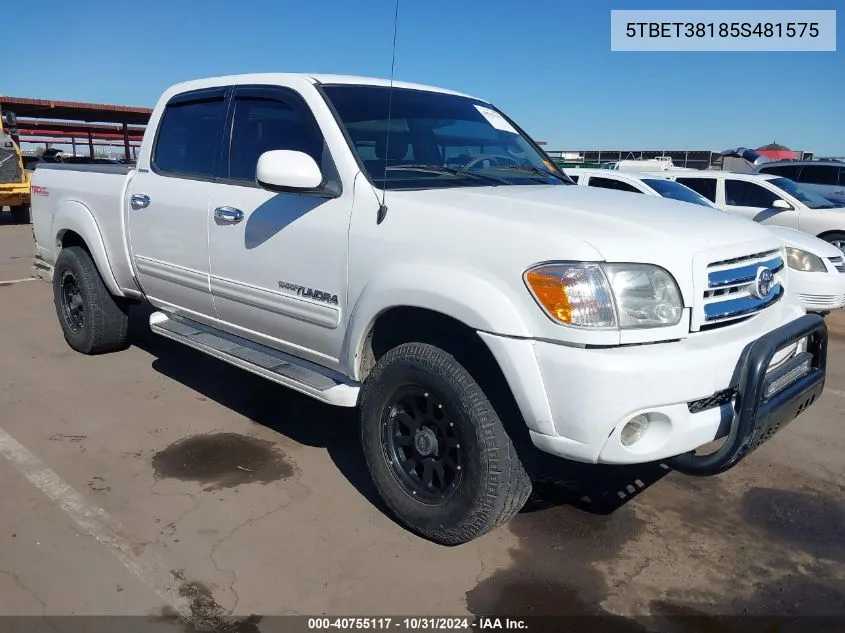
(168, 205)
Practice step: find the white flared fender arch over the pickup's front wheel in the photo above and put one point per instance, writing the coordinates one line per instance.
(474, 301)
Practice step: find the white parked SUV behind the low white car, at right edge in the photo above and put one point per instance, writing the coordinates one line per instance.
(769, 199)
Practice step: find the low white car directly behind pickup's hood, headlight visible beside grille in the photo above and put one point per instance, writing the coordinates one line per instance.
(817, 266)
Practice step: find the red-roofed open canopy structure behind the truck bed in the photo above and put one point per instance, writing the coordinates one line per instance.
(74, 123)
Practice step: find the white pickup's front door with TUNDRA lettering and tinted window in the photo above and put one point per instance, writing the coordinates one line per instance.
(278, 260)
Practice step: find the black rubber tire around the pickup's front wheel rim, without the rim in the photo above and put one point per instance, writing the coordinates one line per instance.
(494, 484)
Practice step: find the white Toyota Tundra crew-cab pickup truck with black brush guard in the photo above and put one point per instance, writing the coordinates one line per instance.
(410, 251)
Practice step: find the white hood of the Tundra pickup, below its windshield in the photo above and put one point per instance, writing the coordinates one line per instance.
(620, 226)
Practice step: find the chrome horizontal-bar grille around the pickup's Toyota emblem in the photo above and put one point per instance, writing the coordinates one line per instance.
(730, 283)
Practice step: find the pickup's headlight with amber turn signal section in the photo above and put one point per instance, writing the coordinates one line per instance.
(606, 296)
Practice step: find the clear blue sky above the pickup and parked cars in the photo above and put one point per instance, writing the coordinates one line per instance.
(546, 63)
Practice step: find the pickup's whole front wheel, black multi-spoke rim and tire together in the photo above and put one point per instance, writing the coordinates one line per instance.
(437, 451)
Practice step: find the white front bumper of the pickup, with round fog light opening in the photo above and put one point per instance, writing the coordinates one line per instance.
(577, 400)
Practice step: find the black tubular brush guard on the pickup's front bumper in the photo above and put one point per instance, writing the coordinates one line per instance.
(756, 418)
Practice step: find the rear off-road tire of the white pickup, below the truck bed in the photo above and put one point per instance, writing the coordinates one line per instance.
(105, 323)
